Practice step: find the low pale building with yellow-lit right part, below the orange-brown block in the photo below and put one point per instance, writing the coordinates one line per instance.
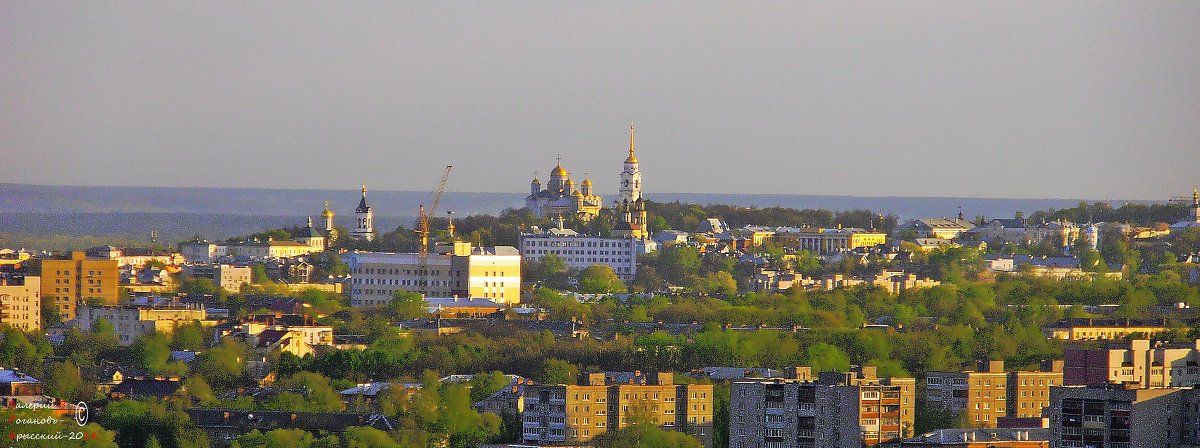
(133, 321)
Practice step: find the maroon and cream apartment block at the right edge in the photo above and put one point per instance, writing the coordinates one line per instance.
(1137, 362)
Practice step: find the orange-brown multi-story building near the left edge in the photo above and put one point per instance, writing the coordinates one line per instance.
(65, 283)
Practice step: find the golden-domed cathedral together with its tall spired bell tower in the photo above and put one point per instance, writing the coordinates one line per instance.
(562, 199)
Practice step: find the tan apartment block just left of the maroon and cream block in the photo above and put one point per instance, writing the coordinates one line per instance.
(992, 393)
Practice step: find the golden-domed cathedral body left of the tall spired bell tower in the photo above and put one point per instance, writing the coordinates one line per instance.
(562, 199)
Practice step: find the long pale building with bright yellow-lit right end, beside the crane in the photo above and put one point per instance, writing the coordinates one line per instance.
(491, 273)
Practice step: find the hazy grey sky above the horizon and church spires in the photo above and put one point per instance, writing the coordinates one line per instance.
(1004, 99)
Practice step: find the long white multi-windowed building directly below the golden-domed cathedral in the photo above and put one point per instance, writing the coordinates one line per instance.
(581, 252)
